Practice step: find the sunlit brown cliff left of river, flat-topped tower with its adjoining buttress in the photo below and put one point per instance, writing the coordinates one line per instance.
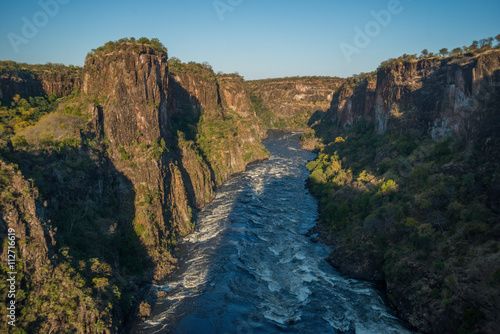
(163, 132)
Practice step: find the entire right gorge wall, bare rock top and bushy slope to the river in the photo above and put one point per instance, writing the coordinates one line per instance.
(408, 169)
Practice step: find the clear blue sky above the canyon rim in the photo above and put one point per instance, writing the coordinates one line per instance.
(257, 38)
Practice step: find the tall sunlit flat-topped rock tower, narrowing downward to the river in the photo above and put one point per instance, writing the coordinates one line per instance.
(128, 88)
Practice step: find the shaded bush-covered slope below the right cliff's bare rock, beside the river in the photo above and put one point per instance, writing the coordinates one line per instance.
(404, 210)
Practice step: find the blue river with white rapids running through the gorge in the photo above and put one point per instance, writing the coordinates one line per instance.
(249, 268)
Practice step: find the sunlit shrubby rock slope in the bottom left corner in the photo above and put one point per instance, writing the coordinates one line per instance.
(41, 273)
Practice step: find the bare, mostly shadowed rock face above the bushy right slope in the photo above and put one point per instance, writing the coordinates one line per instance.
(439, 96)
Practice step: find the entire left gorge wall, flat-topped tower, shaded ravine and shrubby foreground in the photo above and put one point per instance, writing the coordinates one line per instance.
(117, 192)
